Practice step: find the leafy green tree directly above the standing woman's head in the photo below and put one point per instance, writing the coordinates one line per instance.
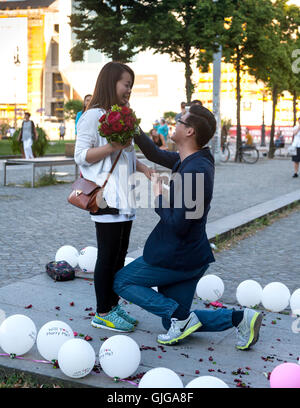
(103, 25)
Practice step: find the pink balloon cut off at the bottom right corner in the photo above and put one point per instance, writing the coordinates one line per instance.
(285, 375)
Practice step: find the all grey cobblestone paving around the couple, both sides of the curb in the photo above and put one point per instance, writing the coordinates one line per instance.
(34, 223)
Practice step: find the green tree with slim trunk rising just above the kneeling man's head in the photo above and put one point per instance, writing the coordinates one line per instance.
(179, 28)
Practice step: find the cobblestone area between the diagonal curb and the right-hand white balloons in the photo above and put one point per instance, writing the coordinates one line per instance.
(271, 255)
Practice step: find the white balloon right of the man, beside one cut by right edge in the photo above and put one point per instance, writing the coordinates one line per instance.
(275, 297)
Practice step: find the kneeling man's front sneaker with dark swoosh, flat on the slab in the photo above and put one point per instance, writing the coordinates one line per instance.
(179, 330)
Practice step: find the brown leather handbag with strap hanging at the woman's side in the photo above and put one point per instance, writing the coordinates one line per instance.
(87, 195)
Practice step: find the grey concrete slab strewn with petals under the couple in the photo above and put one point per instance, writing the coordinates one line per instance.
(200, 354)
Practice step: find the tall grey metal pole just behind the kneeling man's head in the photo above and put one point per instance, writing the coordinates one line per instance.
(217, 59)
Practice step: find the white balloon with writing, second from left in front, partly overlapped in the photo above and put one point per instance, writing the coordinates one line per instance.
(51, 337)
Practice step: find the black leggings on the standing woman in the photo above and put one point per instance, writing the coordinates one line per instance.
(112, 241)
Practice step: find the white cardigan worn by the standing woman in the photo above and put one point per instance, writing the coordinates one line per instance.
(119, 191)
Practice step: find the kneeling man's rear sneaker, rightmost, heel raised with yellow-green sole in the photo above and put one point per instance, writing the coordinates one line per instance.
(248, 329)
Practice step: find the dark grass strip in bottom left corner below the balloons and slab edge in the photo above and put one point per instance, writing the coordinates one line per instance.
(22, 380)
